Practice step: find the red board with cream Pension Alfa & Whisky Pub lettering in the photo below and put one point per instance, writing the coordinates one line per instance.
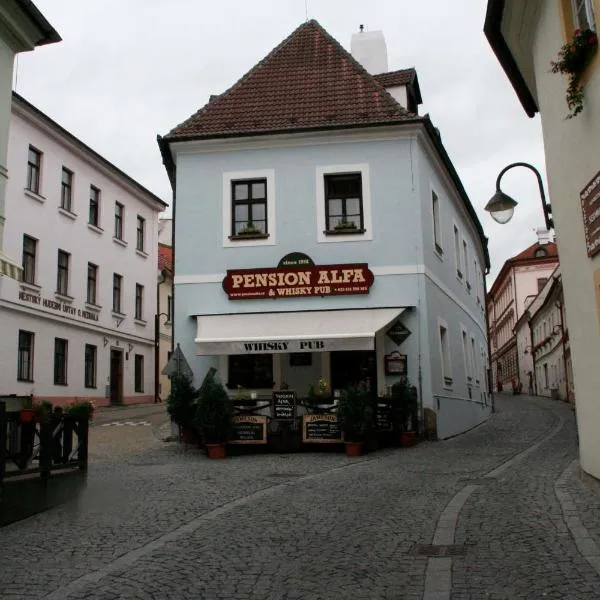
(300, 280)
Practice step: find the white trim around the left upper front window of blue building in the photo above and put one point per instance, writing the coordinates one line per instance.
(228, 177)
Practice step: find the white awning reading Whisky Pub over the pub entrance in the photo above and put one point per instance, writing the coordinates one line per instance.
(309, 331)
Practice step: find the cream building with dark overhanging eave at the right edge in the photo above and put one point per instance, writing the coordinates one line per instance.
(525, 38)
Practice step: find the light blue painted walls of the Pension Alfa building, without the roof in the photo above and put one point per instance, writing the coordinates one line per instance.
(402, 170)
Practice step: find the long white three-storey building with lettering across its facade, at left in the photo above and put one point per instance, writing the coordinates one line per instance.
(81, 321)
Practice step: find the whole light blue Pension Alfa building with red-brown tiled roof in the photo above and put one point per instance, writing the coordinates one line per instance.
(322, 234)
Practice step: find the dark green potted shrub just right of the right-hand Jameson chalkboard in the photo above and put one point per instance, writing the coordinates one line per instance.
(355, 414)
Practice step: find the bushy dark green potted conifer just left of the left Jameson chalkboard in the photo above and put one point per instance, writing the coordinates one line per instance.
(214, 416)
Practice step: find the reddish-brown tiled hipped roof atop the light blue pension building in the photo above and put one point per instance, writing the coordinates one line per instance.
(309, 81)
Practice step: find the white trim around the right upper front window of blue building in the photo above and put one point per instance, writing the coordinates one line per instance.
(321, 171)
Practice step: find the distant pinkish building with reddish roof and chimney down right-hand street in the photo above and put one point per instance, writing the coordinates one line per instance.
(520, 280)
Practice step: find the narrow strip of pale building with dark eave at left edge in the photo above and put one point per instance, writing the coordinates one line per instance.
(22, 28)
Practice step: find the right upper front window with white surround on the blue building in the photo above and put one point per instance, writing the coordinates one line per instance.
(343, 203)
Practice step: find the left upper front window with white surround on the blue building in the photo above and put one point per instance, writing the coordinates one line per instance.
(249, 208)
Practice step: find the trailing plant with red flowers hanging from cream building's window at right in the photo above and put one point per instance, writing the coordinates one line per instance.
(573, 58)
